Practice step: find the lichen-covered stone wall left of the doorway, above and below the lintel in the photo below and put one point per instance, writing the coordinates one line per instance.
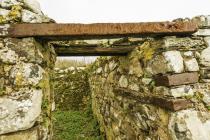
(26, 68)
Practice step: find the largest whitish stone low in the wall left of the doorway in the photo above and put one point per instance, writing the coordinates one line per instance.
(20, 110)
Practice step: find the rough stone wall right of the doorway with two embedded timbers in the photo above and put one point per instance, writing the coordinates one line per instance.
(161, 90)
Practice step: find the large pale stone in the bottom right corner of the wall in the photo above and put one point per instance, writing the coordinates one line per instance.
(193, 125)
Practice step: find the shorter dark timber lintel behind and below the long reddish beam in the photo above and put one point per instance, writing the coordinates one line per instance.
(92, 51)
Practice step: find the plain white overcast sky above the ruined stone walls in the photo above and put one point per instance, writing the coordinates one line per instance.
(89, 11)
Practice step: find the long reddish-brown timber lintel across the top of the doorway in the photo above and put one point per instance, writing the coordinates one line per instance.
(55, 31)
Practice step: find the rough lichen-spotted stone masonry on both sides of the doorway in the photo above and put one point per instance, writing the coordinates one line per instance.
(161, 90)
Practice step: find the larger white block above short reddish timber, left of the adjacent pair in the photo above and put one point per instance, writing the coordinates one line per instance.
(175, 61)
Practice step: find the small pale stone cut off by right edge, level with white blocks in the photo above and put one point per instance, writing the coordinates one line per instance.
(205, 57)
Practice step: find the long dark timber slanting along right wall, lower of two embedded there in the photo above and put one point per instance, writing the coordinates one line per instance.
(163, 102)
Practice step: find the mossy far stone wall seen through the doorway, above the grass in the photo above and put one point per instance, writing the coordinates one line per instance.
(71, 88)
